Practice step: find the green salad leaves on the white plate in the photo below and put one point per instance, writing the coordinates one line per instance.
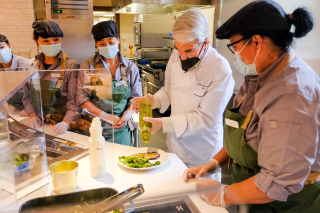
(137, 162)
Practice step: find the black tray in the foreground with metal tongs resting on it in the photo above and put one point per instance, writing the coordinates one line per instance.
(67, 202)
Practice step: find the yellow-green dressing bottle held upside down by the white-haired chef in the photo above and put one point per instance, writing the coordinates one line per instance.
(145, 127)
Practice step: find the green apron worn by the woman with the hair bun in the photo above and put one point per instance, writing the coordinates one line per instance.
(244, 165)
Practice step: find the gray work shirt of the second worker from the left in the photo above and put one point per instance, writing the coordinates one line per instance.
(69, 84)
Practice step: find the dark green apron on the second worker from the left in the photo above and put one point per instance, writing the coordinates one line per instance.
(53, 102)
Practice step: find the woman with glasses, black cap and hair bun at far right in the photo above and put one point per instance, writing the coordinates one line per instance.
(271, 136)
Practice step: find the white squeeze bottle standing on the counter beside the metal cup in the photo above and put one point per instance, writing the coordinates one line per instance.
(97, 149)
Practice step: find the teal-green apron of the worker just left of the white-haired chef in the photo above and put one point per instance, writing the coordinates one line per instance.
(120, 97)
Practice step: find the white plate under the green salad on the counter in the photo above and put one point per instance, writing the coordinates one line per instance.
(164, 157)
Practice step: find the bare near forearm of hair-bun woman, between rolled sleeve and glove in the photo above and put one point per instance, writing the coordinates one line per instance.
(245, 192)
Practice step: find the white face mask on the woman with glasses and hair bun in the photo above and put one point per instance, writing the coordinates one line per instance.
(243, 68)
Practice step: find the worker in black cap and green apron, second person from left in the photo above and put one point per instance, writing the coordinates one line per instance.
(58, 86)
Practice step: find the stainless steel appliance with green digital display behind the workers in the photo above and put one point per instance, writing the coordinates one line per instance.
(75, 18)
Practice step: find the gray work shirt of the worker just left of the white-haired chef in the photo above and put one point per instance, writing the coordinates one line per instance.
(132, 74)
